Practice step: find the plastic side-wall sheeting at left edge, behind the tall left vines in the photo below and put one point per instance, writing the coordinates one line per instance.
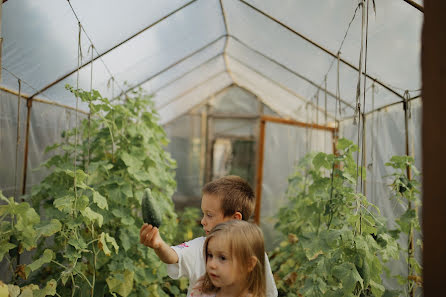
(46, 125)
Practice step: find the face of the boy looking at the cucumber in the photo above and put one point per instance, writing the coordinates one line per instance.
(212, 212)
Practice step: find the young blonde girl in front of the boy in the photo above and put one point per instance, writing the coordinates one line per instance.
(235, 258)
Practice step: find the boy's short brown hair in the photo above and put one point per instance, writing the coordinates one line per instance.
(235, 194)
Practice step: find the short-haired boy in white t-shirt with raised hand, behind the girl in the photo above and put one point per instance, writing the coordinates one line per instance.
(224, 199)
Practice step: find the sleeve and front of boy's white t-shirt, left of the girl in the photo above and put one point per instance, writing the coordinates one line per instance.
(190, 261)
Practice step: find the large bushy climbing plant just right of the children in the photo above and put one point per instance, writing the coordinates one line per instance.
(337, 240)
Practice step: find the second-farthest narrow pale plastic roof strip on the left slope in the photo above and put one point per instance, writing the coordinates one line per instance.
(189, 81)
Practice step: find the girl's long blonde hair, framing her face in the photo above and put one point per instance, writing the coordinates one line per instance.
(245, 240)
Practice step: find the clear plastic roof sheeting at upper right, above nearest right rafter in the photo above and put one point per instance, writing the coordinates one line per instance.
(388, 30)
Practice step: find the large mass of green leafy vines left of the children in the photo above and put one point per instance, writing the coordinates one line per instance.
(99, 173)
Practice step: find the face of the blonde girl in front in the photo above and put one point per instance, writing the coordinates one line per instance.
(221, 267)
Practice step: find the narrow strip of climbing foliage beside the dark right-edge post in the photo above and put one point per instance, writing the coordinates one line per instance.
(406, 191)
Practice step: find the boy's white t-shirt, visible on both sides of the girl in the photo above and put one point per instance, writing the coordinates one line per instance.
(191, 264)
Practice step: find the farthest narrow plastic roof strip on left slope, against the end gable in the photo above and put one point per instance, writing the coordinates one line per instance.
(194, 98)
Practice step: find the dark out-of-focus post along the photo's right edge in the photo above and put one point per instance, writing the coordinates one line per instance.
(433, 66)
